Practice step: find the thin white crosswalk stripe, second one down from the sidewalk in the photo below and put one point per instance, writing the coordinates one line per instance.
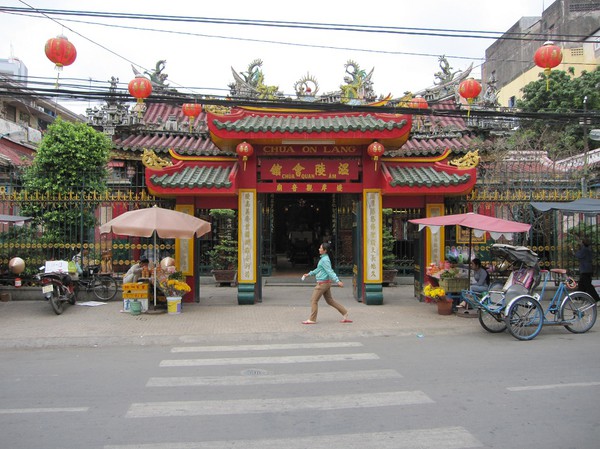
(269, 360)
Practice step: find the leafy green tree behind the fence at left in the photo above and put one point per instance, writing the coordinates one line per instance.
(71, 164)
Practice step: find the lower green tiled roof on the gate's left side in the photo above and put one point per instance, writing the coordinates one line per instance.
(196, 177)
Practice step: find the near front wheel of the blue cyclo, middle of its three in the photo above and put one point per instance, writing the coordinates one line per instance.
(524, 318)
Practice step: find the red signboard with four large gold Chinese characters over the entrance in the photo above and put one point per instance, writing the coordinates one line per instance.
(309, 169)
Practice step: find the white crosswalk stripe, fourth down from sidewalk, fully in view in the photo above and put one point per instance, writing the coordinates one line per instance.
(275, 405)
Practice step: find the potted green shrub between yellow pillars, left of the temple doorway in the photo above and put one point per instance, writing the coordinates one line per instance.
(224, 255)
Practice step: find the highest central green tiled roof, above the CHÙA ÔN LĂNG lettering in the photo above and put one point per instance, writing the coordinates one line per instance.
(291, 124)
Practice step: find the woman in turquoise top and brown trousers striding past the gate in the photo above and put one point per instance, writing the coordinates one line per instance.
(325, 276)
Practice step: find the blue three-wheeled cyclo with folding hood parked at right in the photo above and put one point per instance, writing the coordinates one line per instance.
(516, 306)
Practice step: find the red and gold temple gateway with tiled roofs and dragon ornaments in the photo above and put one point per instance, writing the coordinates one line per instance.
(298, 176)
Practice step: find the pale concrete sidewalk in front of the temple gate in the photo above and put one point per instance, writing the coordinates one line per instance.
(33, 324)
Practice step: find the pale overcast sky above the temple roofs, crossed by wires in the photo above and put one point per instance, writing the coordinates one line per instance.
(200, 57)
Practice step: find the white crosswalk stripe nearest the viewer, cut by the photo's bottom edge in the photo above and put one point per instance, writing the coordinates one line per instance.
(435, 438)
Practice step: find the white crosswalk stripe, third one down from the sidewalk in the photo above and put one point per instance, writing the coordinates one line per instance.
(267, 379)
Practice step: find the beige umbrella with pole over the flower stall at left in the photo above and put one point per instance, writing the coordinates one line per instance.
(153, 221)
